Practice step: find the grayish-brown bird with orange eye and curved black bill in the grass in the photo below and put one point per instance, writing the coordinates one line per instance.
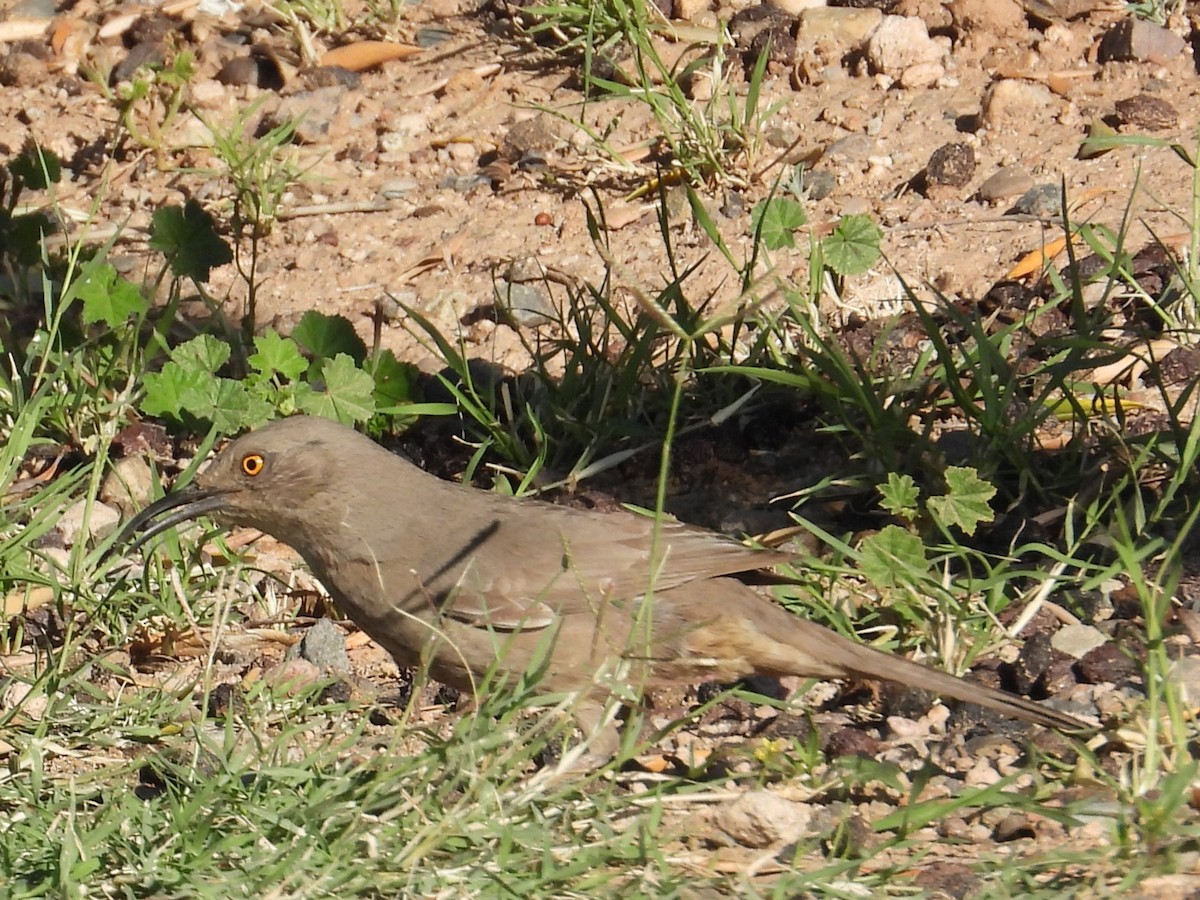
(469, 583)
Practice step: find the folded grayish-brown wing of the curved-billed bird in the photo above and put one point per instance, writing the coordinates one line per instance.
(579, 562)
